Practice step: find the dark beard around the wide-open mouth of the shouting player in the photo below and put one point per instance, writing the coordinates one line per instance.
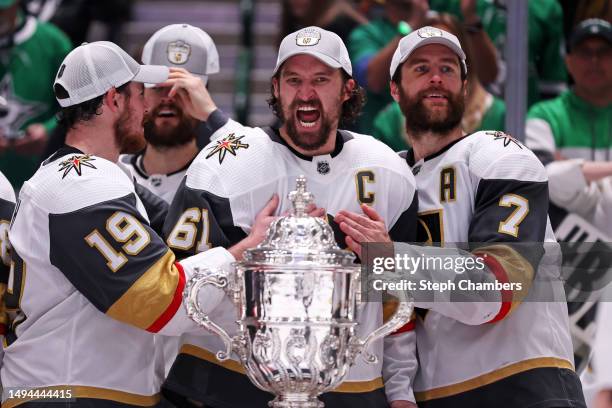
(310, 140)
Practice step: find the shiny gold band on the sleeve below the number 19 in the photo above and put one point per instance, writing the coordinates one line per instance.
(149, 297)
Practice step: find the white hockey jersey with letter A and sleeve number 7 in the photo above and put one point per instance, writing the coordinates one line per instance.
(487, 189)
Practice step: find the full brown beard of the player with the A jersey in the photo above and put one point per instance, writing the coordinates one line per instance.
(420, 119)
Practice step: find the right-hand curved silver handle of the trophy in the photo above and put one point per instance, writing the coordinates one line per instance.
(401, 316)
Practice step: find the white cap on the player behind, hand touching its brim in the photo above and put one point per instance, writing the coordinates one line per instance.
(183, 46)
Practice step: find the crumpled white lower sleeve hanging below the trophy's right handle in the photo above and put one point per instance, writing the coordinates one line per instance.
(400, 366)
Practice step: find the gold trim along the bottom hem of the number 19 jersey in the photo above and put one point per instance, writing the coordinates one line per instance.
(81, 391)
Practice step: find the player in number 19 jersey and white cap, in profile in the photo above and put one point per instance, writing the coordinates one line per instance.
(90, 280)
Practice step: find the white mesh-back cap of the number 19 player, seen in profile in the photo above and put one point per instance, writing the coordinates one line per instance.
(91, 69)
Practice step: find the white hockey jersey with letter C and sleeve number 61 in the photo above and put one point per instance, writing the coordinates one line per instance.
(228, 184)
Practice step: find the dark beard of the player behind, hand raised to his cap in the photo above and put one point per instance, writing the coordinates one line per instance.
(167, 135)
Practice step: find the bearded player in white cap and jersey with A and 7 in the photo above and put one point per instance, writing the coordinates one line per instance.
(487, 191)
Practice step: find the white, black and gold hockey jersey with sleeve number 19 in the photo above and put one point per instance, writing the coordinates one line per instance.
(90, 281)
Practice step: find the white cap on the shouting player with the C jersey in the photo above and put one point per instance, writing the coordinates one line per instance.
(321, 44)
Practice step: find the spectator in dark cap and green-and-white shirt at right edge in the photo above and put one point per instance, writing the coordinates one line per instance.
(572, 134)
